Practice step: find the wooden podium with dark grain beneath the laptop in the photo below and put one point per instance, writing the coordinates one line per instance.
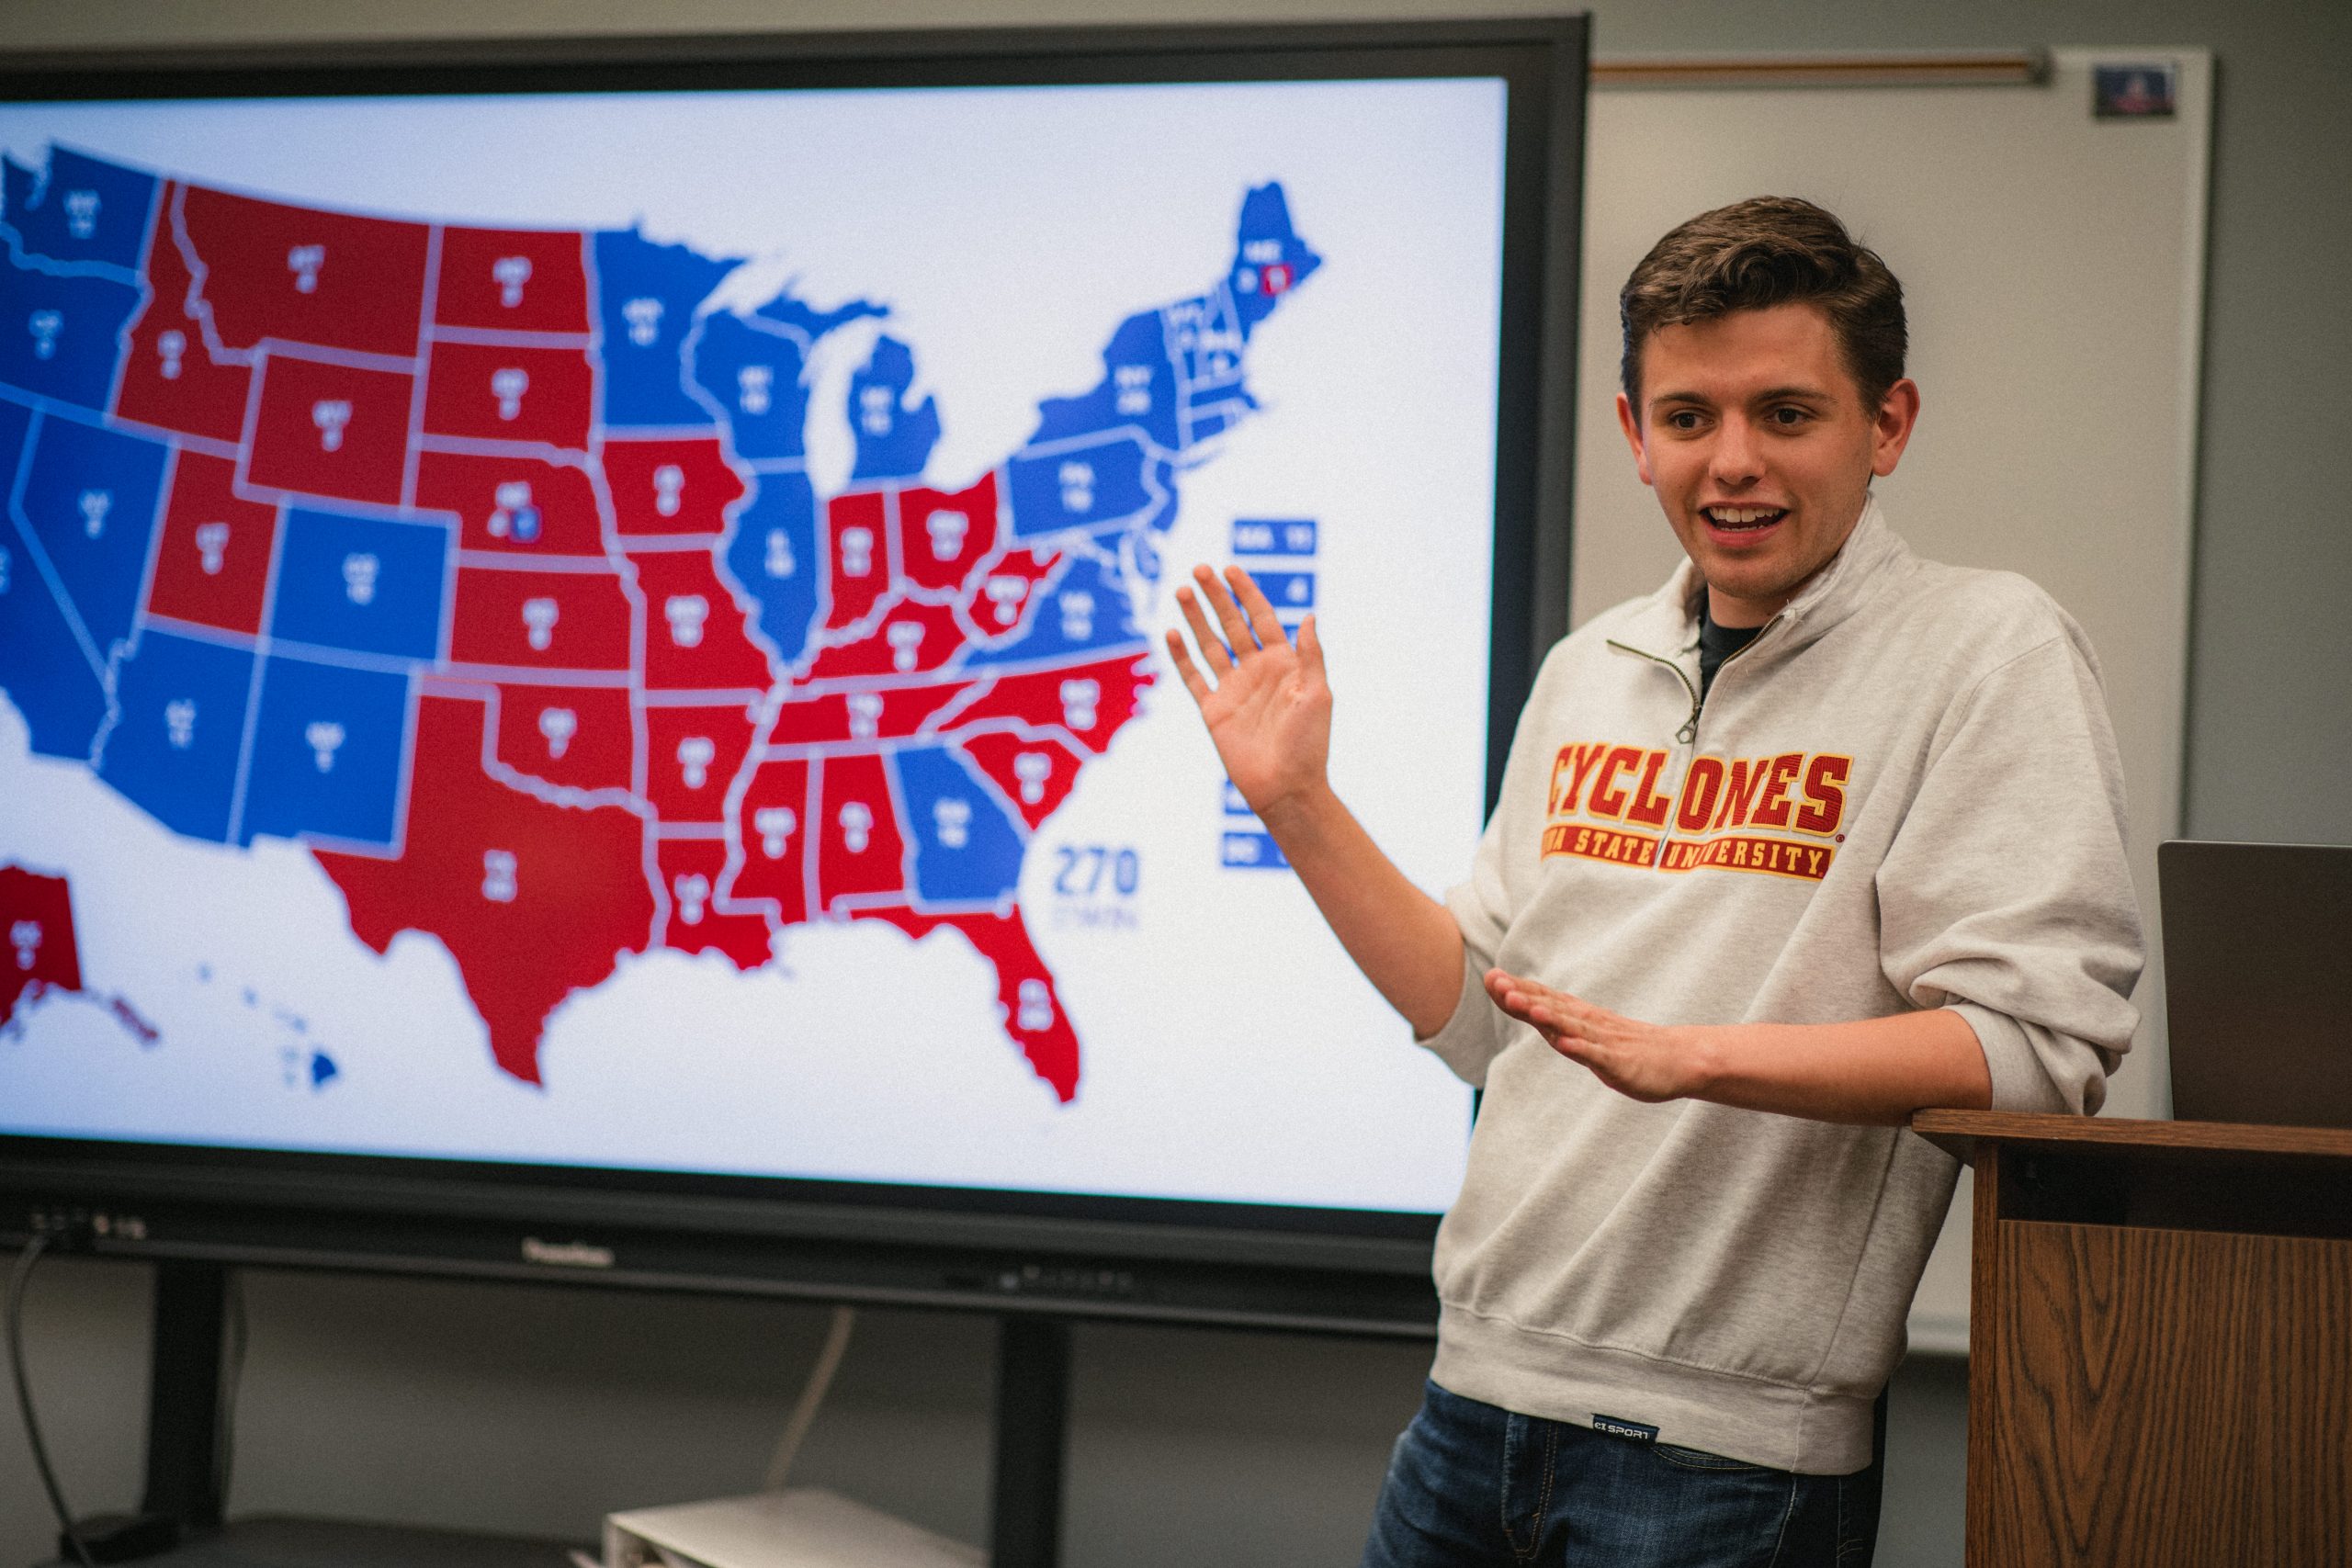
(2160, 1341)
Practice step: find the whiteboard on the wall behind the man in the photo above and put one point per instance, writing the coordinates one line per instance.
(2054, 276)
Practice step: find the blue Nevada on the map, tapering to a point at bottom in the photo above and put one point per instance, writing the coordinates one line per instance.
(93, 497)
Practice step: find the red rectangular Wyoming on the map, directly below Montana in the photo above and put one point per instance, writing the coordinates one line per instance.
(330, 431)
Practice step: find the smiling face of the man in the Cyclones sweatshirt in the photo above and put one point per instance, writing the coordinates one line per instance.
(1760, 450)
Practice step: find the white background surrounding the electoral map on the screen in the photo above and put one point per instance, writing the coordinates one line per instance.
(1229, 1050)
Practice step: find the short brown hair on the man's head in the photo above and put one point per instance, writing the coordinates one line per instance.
(1770, 250)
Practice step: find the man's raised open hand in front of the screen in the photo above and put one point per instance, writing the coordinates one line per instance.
(1269, 711)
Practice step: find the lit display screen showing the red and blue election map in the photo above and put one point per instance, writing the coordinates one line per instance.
(620, 629)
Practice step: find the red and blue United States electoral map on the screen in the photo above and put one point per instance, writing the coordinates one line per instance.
(488, 565)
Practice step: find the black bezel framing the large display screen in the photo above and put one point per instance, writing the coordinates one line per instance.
(1203, 1261)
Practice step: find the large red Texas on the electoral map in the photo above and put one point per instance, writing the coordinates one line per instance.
(533, 902)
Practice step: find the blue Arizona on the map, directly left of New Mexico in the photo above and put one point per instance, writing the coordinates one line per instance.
(180, 730)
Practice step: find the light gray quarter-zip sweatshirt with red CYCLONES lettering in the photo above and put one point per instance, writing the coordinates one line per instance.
(1902, 796)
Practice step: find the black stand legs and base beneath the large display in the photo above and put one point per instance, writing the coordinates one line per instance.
(185, 1449)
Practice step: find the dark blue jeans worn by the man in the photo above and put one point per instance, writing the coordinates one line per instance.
(1474, 1485)
